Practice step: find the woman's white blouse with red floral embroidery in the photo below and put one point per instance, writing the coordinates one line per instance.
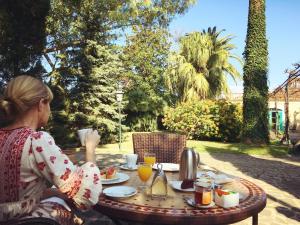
(30, 162)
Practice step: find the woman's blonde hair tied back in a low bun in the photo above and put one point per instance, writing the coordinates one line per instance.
(20, 95)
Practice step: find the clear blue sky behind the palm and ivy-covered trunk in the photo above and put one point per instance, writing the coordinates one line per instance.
(283, 33)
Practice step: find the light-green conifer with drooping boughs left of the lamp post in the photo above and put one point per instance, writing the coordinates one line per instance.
(93, 102)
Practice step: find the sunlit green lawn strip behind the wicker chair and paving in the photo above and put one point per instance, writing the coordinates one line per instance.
(275, 150)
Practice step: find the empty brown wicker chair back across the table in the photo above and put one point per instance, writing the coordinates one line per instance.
(167, 147)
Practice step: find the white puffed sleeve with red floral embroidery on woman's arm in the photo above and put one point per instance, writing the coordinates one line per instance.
(82, 184)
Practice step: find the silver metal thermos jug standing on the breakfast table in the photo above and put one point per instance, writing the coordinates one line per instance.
(188, 164)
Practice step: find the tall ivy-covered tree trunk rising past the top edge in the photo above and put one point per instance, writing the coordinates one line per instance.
(255, 99)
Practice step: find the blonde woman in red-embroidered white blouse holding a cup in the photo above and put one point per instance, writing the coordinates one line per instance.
(30, 161)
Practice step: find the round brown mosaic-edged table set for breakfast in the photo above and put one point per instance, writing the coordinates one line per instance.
(174, 210)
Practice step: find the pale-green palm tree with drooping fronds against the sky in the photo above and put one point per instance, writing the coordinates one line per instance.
(201, 67)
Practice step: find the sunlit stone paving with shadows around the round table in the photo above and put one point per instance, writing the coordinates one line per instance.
(280, 178)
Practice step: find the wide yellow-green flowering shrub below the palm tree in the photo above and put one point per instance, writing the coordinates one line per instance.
(205, 120)
